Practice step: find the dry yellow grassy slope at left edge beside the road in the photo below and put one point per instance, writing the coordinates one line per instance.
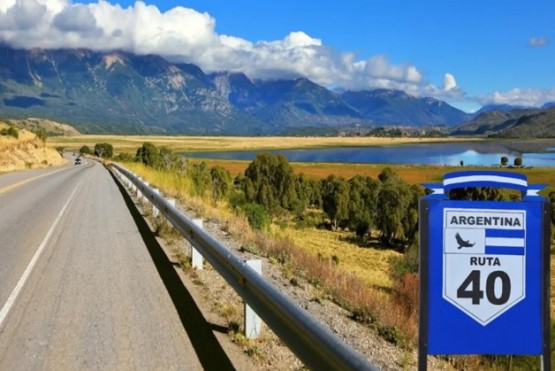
(25, 152)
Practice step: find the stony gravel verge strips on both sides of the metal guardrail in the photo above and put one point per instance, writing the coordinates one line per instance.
(222, 307)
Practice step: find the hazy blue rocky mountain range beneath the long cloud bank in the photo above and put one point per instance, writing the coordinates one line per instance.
(118, 92)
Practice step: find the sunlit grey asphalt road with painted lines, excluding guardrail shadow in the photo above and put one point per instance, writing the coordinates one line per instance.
(78, 287)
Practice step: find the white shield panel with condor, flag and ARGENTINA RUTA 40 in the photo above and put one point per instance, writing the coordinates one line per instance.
(484, 261)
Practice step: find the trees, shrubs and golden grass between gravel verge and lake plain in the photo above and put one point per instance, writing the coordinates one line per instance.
(355, 238)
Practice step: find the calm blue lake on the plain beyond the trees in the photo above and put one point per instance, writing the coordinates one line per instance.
(533, 152)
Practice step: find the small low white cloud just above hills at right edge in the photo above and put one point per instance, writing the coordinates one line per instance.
(520, 97)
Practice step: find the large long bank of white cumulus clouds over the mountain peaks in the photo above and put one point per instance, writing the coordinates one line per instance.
(186, 35)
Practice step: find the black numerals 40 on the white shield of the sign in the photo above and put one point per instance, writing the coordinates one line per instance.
(470, 288)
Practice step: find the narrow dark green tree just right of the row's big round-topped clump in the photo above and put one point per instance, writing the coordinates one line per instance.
(335, 199)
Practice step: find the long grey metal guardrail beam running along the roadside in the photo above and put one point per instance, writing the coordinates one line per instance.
(315, 345)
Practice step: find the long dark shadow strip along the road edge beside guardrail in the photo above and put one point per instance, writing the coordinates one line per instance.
(209, 351)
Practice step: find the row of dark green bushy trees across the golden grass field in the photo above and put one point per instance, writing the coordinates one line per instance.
(269, 188)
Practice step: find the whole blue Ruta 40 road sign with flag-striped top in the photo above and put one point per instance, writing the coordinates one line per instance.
(484, 270)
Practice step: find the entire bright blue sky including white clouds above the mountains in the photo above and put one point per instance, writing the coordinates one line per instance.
(468, 53)
